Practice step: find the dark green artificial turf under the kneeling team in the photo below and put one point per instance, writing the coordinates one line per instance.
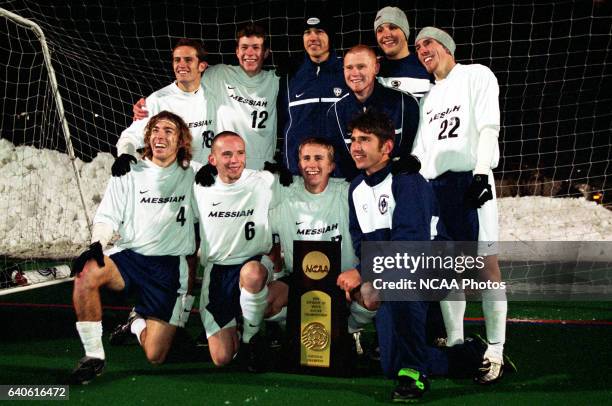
(558, 363)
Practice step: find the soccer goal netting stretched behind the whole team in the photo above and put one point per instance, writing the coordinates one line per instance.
(552, 60)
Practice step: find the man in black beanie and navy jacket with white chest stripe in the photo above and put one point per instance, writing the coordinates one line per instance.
(306, 92)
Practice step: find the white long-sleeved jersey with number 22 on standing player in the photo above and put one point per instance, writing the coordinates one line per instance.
(452, 115)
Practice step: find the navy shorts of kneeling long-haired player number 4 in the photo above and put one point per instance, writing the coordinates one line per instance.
(154, 279)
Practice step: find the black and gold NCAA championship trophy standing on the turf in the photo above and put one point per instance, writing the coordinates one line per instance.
(317, 311)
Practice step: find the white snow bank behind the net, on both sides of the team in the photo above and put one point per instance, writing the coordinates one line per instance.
(41, 214)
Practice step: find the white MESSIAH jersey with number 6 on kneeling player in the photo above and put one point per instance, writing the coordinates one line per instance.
(234, 217)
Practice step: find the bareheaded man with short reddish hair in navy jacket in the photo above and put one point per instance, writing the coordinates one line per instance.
(360, 69)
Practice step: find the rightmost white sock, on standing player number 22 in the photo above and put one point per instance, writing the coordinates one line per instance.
(495, 309)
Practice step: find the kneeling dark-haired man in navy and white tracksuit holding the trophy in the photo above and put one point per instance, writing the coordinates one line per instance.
(404, 210)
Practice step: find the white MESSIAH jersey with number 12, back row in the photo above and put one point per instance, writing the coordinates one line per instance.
(247, 106)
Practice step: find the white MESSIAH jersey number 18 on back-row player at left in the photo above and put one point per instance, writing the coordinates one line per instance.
(193, 107)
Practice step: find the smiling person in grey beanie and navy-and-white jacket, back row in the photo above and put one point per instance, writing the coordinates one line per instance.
(399, 69)
